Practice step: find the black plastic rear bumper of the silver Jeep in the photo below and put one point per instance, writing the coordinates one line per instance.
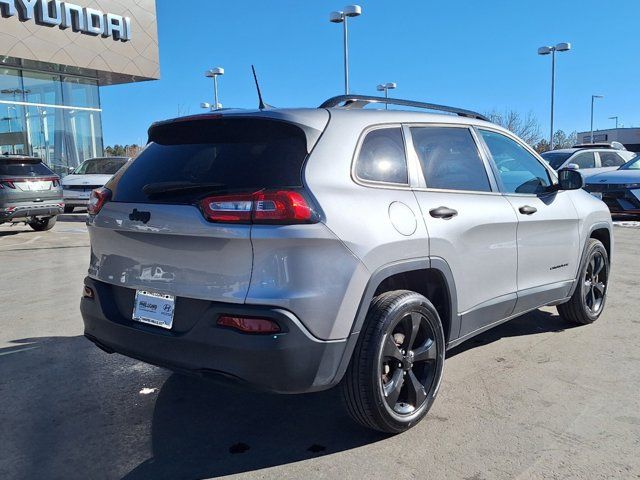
(289, 362)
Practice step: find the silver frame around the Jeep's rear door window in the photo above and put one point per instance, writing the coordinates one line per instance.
(422, 185)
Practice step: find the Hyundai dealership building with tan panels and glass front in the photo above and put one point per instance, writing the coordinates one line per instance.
(54, 57)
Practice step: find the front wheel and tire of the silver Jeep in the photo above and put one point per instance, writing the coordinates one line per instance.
(589, 298)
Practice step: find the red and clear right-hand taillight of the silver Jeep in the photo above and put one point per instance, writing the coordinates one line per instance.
(281, 207)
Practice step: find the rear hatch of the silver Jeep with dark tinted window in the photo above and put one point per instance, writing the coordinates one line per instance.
(157, 230)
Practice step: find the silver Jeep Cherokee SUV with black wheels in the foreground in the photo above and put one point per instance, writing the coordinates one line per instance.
(298, 249)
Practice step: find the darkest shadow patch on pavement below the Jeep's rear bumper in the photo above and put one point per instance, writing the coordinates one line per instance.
(201, 430)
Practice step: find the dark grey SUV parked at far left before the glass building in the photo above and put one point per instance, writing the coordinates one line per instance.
(29, 192)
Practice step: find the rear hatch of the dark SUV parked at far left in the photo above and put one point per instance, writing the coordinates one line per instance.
(24, 179)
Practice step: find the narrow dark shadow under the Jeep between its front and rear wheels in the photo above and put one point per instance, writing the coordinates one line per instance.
(535, 322)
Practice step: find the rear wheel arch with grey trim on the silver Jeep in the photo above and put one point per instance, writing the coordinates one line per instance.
(409, 275)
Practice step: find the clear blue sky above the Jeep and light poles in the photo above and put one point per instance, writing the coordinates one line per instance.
(473, 54)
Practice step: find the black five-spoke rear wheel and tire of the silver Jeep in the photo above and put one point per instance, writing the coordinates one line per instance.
(394, 374)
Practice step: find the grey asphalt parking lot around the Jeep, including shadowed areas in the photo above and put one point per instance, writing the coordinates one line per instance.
(533, 398)
